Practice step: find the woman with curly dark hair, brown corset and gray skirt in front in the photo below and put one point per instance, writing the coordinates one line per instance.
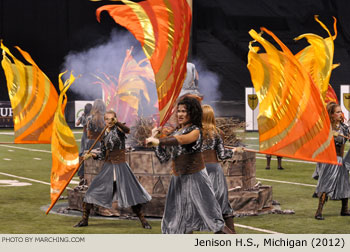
(190, 203)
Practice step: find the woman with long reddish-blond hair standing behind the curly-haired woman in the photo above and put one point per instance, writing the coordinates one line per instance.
(213, 148)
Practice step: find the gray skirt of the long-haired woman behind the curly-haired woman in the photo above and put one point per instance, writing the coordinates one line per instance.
(218, 180)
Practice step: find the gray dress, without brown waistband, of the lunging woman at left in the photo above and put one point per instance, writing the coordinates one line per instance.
(115, 181)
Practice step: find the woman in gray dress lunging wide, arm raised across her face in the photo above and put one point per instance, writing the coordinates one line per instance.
(115, 180)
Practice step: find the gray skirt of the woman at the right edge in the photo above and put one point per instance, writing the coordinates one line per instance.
(333, 180)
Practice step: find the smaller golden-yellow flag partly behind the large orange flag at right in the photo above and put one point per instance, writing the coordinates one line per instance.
(317, 58)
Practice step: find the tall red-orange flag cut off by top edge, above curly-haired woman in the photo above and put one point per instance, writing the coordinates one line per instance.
(163, 29)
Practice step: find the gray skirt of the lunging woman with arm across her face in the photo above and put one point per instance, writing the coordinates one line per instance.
(126, 189)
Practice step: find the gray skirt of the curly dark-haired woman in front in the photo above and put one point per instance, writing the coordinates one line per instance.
(191, 205)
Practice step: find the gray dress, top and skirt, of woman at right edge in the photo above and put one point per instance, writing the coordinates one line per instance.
(334, 179)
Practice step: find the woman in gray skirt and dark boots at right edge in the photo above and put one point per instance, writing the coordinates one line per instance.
(333, 180)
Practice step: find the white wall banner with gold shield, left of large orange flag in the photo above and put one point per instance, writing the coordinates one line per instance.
(251, 109)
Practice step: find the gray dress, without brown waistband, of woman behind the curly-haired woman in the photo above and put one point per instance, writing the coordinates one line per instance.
(216, 173)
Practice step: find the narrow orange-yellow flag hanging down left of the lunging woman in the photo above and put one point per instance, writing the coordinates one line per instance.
(65, 154)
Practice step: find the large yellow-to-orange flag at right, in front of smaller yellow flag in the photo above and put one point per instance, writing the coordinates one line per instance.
(292, 120)
